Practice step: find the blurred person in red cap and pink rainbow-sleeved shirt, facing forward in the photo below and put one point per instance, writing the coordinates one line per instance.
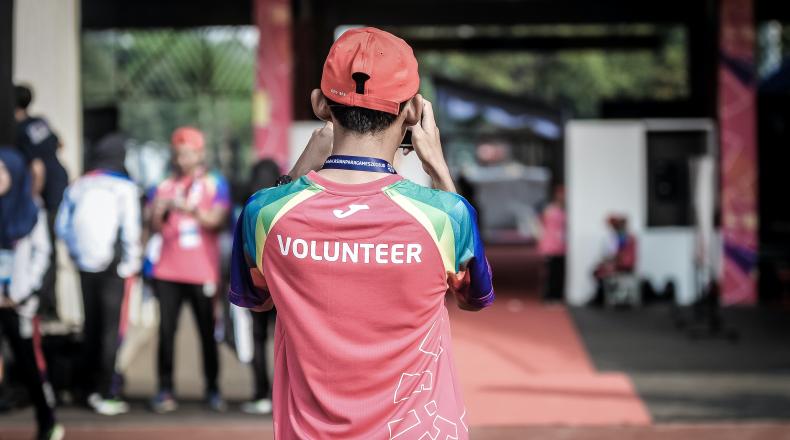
(188, 209)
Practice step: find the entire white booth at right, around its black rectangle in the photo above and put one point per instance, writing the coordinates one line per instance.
(606, 172)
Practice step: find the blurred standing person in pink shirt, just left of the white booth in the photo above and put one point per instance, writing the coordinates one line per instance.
(552, 246)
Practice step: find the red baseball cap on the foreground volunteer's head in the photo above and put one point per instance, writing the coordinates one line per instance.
(370, 68)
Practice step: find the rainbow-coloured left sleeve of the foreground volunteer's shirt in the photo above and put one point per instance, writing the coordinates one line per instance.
(262, 211)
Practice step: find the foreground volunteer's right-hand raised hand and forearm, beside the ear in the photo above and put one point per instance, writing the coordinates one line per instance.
(428, 146)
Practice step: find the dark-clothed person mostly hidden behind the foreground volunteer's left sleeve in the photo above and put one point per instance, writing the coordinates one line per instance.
(264, 175)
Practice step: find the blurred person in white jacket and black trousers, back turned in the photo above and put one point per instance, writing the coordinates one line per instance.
(100, 221)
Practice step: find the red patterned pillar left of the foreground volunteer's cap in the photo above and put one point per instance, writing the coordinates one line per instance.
(273, 100)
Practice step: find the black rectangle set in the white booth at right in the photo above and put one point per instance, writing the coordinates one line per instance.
(669, 185)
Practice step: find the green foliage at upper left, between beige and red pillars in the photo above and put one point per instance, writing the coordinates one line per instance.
(162, 79)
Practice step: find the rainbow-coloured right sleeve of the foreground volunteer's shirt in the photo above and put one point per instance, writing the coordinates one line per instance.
(452, 223)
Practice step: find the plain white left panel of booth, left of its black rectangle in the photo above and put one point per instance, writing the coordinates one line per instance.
(605, 173)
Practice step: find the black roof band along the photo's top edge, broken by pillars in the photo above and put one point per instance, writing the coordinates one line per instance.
(102, 14)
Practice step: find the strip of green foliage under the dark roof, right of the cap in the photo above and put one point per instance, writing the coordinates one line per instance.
(575, 80)
